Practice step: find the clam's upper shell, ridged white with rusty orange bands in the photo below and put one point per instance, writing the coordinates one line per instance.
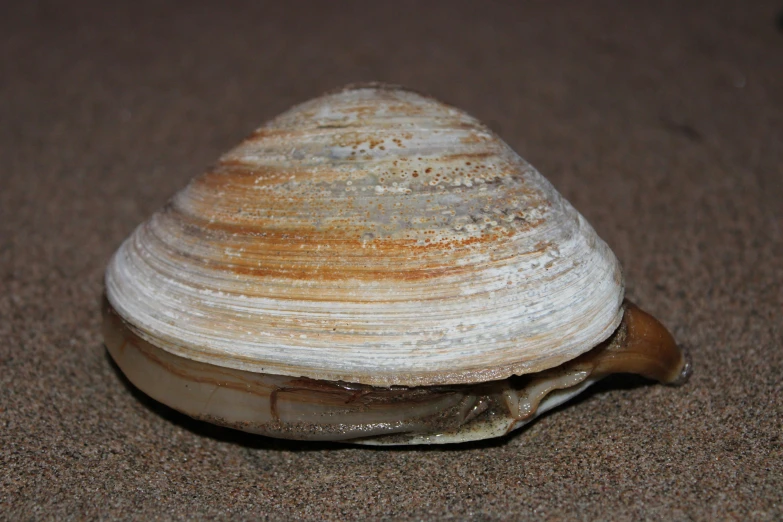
(373, 235)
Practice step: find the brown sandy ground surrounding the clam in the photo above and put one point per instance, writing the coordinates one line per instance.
(663, 124)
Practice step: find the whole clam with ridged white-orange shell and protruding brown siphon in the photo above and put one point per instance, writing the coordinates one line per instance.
(378, 267)
